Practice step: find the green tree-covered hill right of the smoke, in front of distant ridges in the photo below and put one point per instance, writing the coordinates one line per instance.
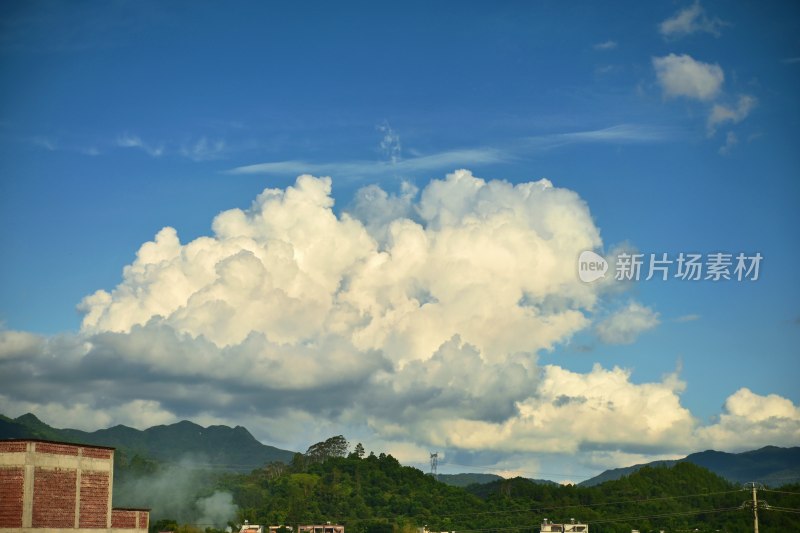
(376, 494)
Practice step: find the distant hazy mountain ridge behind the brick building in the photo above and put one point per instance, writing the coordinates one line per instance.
(219, 447)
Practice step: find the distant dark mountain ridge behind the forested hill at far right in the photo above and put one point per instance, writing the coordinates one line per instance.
(771, 465)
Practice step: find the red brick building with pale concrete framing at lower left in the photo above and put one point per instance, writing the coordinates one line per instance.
(62, 488)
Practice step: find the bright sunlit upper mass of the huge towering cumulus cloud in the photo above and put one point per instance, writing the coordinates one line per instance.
(290, 269)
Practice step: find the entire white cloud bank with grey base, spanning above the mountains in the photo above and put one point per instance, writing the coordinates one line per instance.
(412, 320)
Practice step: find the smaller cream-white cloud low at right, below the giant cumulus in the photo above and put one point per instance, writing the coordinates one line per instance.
(602, 408)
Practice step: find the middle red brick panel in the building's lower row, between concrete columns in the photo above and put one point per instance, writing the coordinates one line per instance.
(54, 497)
